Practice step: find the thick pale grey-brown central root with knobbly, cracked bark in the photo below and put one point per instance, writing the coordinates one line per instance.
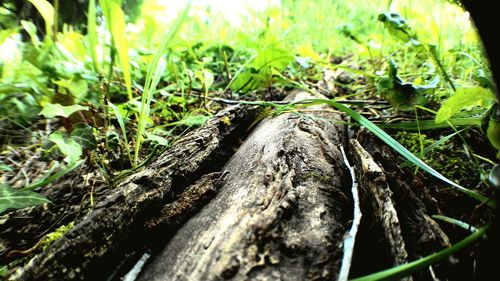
(280, 214)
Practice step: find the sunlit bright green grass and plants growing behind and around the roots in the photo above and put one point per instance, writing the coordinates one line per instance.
(170, 64)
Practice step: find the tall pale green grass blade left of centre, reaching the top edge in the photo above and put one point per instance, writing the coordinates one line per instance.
(152, 78)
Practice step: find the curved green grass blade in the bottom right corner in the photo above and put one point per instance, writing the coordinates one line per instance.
(408, 268)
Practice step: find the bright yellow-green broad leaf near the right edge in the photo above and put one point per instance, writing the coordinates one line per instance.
(463, 98)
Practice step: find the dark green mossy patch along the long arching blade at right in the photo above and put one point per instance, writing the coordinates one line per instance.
(449, 158)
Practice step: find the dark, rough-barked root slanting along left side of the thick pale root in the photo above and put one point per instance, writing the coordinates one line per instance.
(109, 230)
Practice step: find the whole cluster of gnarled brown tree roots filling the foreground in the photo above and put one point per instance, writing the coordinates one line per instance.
(277, 209)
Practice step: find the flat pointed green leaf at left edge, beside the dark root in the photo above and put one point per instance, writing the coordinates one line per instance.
(17, 199)
